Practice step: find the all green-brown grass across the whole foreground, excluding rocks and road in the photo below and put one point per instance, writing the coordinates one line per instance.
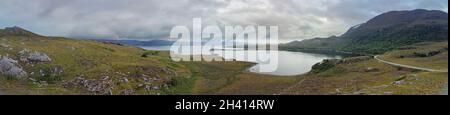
(93, 59)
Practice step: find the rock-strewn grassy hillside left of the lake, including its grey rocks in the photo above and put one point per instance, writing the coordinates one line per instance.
(34, 64)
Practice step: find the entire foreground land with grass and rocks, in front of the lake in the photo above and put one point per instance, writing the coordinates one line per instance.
(34, 64)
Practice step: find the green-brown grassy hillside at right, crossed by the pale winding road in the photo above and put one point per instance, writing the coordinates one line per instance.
(368, 76)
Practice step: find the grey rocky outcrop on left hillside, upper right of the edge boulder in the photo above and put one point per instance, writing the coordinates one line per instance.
(27, 56)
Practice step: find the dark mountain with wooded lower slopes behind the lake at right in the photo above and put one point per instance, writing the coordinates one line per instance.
(383, 33)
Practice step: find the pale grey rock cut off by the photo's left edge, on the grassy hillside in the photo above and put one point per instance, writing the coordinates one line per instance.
(10, 67)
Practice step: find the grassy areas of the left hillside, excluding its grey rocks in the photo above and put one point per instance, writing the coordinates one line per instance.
(81, 58)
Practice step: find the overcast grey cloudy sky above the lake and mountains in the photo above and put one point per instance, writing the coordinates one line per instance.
(153, 19)
